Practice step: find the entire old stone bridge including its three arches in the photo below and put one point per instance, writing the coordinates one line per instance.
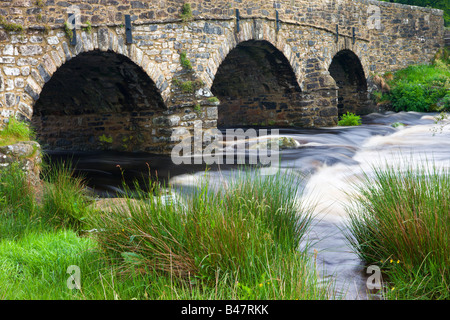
(139, 75)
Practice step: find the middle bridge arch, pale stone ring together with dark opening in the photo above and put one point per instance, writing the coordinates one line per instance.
(258, 78)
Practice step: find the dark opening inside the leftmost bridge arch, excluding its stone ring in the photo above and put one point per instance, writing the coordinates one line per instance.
(98, 101)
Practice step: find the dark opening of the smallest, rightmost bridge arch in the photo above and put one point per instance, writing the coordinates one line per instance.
(347, 71)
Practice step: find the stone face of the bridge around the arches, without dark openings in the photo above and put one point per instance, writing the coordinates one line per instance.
(386, 37)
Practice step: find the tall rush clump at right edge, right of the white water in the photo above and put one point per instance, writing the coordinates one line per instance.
(401, 221)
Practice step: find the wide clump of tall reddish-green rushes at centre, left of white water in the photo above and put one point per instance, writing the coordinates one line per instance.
(242, 238)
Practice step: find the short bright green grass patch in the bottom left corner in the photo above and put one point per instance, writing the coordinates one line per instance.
(34, 266)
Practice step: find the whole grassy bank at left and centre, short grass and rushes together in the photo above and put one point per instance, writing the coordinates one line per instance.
(239, 242)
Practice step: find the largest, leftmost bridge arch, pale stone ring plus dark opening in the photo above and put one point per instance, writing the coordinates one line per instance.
(97, 98)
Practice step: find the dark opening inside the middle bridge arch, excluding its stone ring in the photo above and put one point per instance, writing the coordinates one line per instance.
(256, 85)
